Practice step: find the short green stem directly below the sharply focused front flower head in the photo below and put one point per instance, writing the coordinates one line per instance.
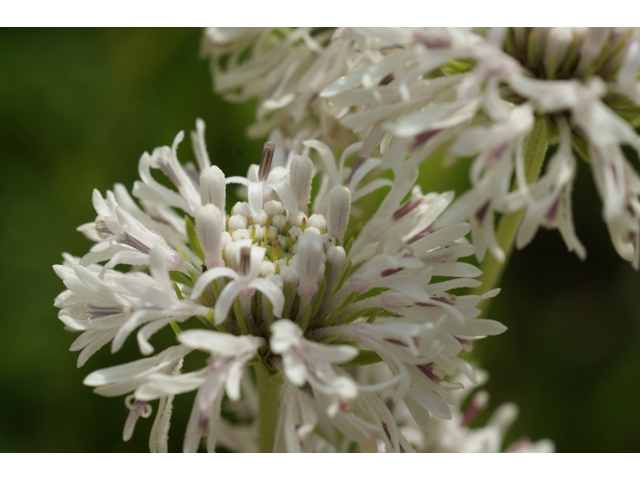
(268, 398)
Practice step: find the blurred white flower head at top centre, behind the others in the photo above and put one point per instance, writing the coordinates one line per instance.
(286, 76)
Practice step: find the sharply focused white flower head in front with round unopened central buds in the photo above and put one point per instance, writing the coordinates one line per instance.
(282, 287)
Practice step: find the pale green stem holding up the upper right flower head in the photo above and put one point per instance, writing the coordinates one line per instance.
(535, 149)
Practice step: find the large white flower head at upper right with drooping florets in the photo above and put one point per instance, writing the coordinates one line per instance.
(424, 91)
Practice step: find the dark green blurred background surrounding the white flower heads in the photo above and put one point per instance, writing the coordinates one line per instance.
(77, 109)
